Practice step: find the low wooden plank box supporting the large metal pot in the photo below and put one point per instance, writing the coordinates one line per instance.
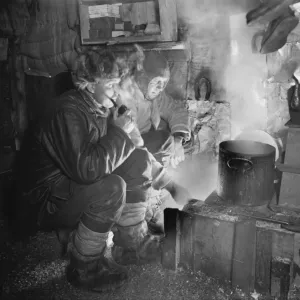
(250, 254)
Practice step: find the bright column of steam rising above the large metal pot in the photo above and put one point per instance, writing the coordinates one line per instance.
(243, 79)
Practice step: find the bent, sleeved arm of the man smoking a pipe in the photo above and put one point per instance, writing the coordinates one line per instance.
(74, 148)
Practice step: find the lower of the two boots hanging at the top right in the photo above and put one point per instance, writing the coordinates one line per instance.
(277, 33)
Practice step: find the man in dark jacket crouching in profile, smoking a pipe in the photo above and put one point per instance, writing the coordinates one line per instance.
(84, 173)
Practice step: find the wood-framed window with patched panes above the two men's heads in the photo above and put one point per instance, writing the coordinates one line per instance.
(101, 21)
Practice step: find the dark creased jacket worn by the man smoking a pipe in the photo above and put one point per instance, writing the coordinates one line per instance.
(72, 138)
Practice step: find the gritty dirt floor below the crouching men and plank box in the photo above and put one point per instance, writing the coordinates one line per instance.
(36, 271)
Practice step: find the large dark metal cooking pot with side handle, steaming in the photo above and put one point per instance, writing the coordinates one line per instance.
(246, 172)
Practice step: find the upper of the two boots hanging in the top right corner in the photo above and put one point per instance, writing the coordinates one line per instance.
(268, 11)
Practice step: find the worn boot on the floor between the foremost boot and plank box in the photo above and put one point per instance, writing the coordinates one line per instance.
(136, 245)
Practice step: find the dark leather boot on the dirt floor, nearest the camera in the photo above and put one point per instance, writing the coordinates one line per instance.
(98, 273)
